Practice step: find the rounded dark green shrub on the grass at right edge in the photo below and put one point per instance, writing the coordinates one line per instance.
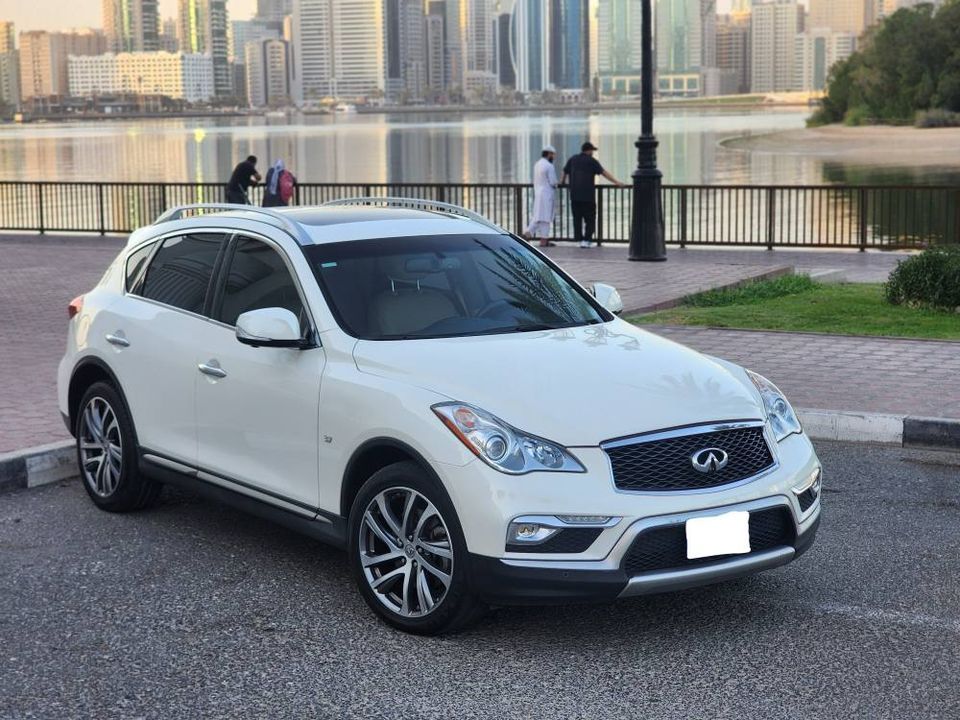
(930, 279)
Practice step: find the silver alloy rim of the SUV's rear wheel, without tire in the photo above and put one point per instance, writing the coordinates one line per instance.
(101, 447)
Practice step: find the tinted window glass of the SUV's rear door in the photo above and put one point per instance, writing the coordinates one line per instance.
(180, 271)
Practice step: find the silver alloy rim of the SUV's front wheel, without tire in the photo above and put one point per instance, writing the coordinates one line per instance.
(406, 552)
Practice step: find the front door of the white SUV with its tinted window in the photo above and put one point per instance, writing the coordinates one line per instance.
(257, 408)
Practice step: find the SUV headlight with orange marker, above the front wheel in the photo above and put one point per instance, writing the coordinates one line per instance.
(502, 446)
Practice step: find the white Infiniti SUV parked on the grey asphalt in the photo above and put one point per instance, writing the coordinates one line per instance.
(414, 384)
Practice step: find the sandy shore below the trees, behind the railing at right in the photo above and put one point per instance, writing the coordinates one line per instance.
(906, 146)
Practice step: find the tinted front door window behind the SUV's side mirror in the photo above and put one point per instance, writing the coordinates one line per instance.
(257, 278)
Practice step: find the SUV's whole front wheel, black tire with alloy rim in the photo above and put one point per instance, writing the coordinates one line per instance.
(414, 569)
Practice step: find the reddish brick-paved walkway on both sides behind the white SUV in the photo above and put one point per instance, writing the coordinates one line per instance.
(40, 275)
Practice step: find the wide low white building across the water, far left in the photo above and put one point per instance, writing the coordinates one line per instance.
(175, 75)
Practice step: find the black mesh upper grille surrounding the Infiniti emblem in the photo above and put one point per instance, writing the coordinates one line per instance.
(661, 462)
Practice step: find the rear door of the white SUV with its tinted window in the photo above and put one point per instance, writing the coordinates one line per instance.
(153, 334)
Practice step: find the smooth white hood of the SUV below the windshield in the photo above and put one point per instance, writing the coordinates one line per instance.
(578, 386)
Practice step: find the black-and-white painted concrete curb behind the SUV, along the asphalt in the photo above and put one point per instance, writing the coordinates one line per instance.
(46, 464)
